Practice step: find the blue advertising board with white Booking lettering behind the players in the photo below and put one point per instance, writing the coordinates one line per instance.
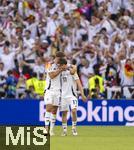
(94, 112)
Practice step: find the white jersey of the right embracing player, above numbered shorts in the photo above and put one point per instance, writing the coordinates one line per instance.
(69, 87)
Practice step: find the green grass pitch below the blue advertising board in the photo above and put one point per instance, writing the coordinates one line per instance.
(95, 138)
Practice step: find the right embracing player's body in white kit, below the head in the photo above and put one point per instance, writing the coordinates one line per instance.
(69, 98)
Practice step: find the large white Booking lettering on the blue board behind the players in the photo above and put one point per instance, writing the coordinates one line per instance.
(99, 114)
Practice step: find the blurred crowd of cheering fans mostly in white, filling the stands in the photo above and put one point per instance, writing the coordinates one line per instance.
(92, 33)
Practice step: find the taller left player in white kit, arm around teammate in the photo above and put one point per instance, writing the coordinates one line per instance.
(53, 90)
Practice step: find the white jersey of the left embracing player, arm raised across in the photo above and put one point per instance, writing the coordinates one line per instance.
(53, 84)
